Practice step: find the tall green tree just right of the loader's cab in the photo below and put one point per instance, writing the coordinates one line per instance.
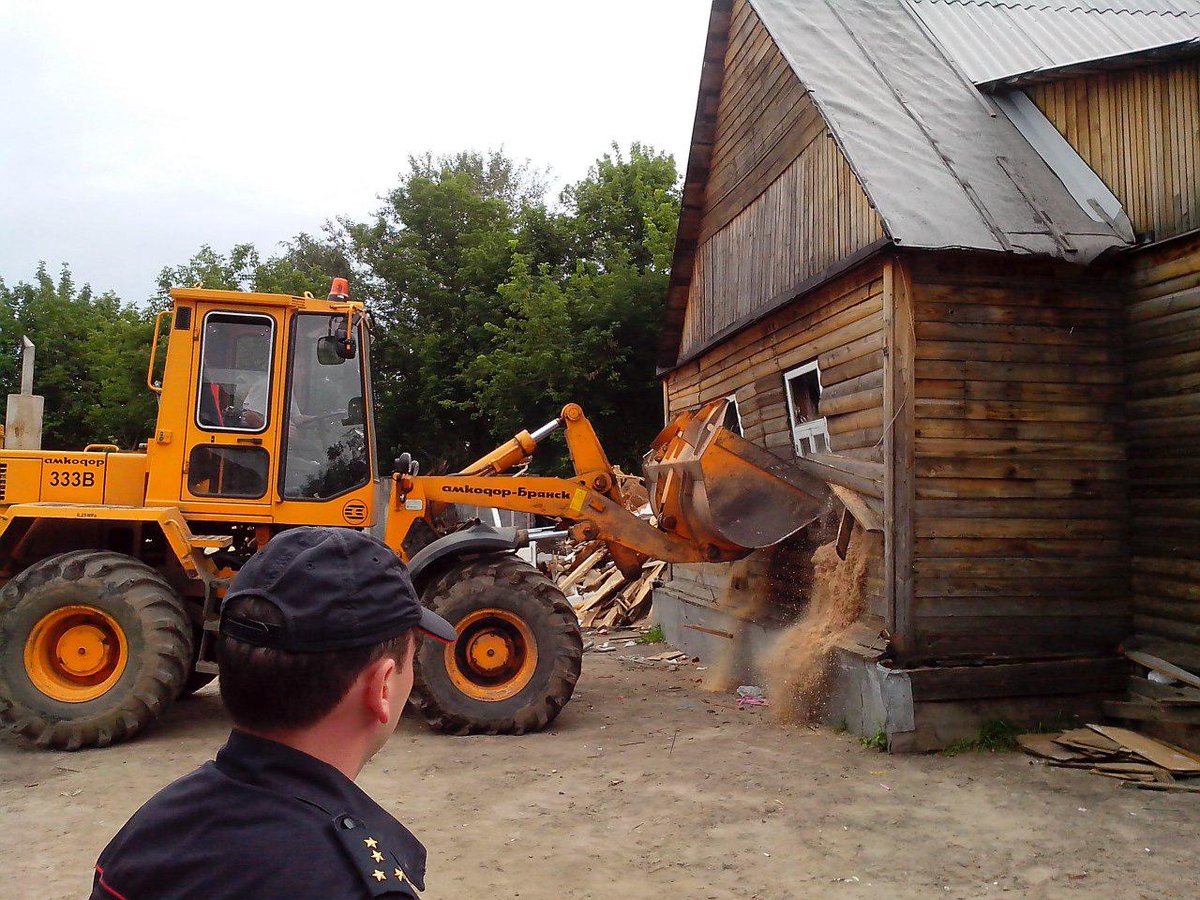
(434, 260)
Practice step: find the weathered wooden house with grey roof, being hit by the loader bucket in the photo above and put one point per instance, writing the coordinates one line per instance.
(946, 254)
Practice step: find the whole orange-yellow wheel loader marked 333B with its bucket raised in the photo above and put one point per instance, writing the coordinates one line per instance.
(113, 565)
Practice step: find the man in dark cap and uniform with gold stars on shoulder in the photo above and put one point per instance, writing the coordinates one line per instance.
(316, 658)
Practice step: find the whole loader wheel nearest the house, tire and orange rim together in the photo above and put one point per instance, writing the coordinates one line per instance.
(518, 657)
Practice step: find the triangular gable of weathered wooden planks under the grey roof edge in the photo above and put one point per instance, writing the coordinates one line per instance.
(781, 205)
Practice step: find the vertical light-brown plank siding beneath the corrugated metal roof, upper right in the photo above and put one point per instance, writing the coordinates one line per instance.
(1139, 130)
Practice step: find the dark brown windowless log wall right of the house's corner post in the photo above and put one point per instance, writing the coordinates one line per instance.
(1019, 513)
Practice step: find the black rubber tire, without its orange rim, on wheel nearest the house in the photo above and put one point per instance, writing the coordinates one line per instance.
(476, 578)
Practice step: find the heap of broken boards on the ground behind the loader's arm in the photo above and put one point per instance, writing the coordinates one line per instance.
(602, 596)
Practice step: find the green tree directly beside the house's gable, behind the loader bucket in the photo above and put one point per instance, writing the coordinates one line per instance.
(587, 331)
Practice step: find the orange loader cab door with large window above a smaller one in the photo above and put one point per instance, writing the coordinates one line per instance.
(230, 466)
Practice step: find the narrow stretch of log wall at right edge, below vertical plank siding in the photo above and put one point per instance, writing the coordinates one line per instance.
(1163, 344)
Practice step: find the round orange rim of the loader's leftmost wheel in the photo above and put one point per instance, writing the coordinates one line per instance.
(76, 655)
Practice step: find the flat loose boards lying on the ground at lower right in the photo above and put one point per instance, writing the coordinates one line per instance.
(1119, 754)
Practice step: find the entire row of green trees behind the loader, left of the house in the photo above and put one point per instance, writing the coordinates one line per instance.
(493, 308)
